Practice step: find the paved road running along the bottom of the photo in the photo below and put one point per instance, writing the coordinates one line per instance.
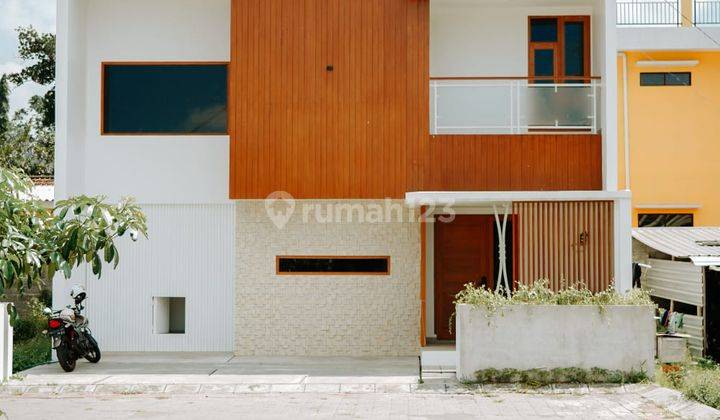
(334, 406)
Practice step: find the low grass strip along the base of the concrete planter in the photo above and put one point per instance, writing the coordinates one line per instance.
(543, 377)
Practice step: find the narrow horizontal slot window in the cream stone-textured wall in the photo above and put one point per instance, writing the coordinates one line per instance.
(333, 265)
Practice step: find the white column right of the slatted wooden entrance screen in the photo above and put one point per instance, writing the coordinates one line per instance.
(622, 230)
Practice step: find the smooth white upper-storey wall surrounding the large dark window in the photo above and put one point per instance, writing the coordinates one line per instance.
(154, 169)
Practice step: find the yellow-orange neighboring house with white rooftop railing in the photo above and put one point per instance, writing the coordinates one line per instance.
(670, 58)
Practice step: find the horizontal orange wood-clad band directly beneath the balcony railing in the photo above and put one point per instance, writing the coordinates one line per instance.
(515, 162)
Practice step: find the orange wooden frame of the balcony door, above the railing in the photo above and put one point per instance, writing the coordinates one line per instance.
(559, 47)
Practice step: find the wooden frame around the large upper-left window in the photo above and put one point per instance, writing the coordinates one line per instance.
(230, 103)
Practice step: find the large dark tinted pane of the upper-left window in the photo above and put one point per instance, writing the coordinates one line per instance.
(165, 99)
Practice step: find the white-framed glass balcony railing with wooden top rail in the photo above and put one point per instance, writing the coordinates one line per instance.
(512, 106)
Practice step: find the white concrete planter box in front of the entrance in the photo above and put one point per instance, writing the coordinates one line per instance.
(554, 336)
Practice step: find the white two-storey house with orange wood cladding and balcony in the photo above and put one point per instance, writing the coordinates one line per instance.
(366, 113)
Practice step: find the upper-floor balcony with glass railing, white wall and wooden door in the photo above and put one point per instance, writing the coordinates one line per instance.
(515, 68)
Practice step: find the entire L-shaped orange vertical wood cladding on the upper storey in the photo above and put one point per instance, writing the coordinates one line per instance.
(360, 129)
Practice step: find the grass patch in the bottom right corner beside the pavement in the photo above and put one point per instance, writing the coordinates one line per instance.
(699, 381)
